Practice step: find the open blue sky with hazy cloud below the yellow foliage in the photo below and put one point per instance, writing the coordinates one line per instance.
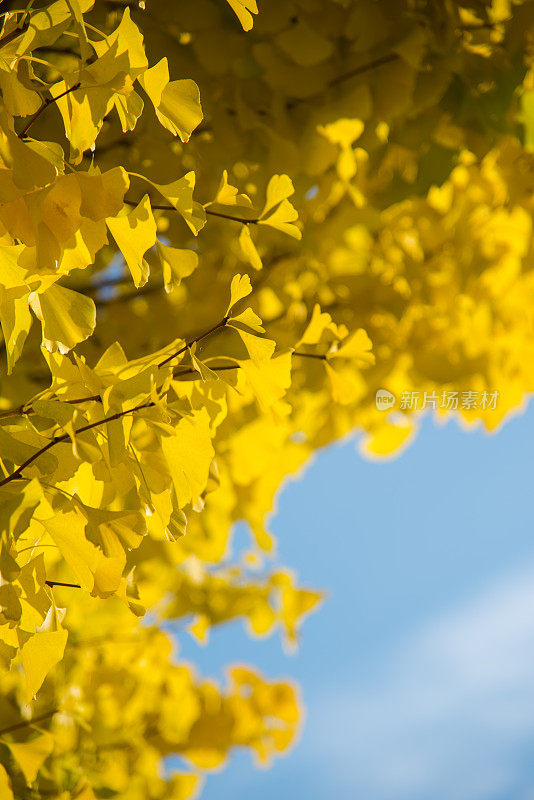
(418, 671)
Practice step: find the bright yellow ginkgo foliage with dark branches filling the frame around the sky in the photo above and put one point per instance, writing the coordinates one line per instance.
(223, 230)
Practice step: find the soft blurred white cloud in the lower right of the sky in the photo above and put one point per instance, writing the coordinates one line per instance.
(450, 717)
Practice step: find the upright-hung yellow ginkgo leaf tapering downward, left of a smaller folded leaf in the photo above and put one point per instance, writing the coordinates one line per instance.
(135, 233)
